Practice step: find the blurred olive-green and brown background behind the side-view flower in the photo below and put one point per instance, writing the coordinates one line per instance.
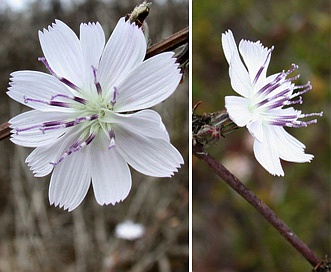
(228, 234)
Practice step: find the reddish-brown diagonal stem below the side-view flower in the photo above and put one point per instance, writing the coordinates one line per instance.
(257, 203)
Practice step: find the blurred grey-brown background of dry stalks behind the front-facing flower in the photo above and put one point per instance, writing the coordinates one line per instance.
(38, 237)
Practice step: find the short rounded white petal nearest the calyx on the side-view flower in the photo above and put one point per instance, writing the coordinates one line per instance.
(237, 108)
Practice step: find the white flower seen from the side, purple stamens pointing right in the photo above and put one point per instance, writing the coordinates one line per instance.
(260, 108)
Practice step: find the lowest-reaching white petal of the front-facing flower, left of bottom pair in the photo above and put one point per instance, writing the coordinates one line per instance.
(71, 180)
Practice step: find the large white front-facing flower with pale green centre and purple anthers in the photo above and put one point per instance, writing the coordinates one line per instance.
(80, 124)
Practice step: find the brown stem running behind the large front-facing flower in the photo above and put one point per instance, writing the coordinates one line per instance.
(168, 44)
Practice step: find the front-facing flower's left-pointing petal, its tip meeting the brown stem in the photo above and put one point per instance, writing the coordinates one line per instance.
(36, 137)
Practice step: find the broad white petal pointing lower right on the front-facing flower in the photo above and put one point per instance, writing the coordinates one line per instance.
(150, 156)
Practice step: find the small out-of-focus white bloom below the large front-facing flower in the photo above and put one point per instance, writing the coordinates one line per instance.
(129, 231)
